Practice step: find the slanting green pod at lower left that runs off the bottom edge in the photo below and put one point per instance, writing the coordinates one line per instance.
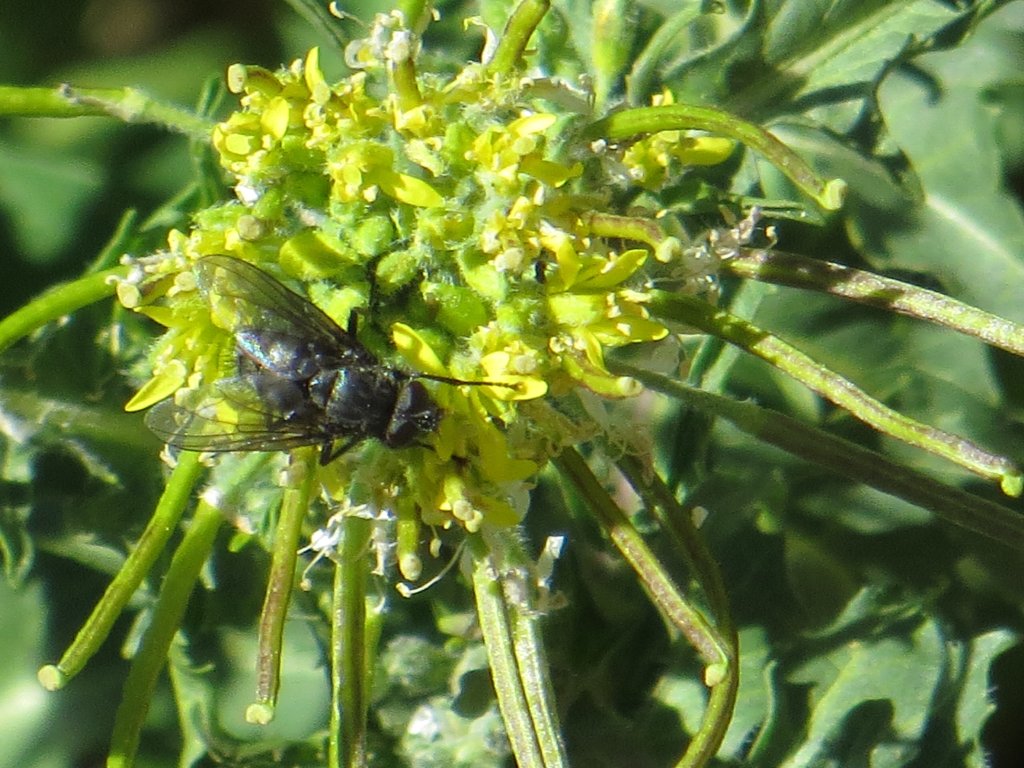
(167, 616)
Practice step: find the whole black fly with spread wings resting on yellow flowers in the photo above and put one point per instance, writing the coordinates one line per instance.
(302, 379)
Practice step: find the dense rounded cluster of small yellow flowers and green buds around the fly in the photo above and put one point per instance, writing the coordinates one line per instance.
(450, 215)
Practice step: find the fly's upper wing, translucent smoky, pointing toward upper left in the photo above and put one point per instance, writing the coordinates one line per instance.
(243, 297)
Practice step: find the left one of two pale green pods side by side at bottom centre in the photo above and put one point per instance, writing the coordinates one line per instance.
(496, 625)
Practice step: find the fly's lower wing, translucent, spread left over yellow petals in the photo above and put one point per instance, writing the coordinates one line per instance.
(235, 415)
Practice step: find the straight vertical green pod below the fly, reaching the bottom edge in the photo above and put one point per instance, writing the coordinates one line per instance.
(350, 681)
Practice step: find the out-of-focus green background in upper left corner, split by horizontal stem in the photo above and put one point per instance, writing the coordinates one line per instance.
(65, 184)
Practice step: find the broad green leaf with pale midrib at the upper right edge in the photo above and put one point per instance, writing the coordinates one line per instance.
(965, 225)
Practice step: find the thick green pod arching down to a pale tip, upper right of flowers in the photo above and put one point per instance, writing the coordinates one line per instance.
(632, 123)
